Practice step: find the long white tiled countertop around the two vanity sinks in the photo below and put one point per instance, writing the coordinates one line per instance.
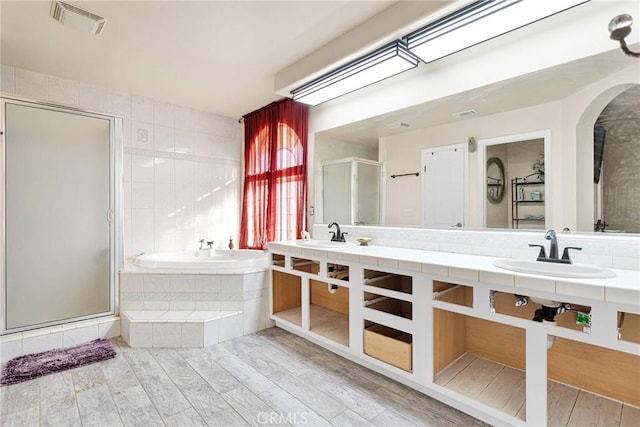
(622, 289)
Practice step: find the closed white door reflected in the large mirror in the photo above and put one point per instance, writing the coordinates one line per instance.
(444, 186)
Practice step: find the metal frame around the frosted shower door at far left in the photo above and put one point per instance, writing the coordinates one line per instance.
(115, 213)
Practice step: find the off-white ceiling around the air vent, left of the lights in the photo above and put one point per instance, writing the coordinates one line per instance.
(217, 56)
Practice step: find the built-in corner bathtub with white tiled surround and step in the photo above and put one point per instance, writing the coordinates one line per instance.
(161, 294)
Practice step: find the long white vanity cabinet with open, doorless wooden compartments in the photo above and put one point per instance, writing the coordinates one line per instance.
(465, 335)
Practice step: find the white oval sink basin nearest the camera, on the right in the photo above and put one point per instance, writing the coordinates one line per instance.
(580, 271)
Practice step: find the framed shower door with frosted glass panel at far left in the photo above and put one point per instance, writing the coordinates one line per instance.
(61, 177)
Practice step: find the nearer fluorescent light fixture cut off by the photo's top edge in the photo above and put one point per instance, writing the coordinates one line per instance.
(478, 22)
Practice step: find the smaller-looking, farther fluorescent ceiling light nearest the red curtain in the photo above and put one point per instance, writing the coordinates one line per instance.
(385, 62)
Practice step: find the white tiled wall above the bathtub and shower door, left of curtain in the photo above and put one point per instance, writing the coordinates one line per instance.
(181, 166)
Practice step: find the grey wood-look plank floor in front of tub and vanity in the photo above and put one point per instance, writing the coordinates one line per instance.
(268, 378)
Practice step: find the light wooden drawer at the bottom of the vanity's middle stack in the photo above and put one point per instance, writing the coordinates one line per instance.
(389, 345)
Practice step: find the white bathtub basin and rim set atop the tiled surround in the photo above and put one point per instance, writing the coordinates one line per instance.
(209, 259)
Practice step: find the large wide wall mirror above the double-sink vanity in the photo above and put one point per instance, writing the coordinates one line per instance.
(552, 100)
